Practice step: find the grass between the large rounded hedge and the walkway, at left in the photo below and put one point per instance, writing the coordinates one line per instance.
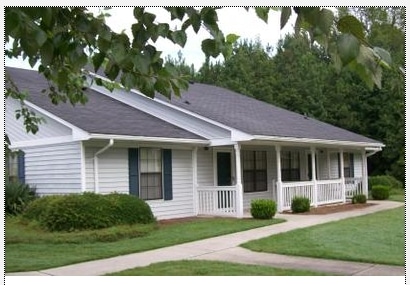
(29, 248)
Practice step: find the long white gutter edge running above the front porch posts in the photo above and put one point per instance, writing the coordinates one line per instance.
(319, 141)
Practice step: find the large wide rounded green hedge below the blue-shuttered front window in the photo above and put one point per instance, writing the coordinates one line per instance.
(89, 211)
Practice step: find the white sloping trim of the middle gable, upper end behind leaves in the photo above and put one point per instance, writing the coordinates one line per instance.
(236, 135)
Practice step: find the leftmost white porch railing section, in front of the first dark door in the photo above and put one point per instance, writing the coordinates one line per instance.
(217, 200)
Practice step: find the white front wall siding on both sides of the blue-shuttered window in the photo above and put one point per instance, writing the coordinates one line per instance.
(113, 176)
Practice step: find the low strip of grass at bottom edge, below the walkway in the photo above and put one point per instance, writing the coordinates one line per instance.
(211, 268)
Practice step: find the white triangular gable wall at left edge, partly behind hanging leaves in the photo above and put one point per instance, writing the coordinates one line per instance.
(16, 130)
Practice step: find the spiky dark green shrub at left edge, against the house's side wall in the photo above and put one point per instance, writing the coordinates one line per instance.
(17, 196)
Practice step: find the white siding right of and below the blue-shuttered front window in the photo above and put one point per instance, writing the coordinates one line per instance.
(182, 204)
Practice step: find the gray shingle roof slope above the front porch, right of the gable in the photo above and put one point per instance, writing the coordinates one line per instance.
(255, 117)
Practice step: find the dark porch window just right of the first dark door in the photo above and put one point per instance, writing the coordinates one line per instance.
(255, 177)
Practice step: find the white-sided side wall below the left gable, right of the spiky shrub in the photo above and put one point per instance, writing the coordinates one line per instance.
(54, 169)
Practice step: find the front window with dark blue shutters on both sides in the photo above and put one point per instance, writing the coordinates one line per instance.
(150, 174)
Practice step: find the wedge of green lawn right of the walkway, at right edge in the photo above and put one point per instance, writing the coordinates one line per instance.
(376, 238)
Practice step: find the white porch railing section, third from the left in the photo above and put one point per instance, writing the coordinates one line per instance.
(329, 191)
